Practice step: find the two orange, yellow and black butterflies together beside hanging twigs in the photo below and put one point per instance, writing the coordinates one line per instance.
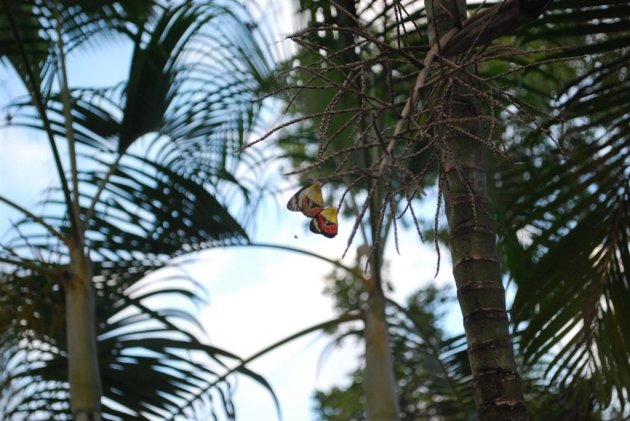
(310, 202)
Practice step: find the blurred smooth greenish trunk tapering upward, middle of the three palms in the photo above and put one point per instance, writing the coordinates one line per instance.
(379, 382)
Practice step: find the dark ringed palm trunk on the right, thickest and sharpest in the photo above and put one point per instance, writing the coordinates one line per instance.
(496, 382)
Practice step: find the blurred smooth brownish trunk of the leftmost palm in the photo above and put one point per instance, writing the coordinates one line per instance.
(83, 368)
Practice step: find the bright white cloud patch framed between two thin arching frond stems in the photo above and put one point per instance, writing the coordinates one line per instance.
(266, 302)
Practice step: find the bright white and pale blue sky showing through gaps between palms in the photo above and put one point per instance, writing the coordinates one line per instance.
(257, 296)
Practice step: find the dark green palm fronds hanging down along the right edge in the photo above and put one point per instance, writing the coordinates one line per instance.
(569, 204)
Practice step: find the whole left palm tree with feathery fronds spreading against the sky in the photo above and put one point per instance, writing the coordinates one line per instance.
(127, 207)
